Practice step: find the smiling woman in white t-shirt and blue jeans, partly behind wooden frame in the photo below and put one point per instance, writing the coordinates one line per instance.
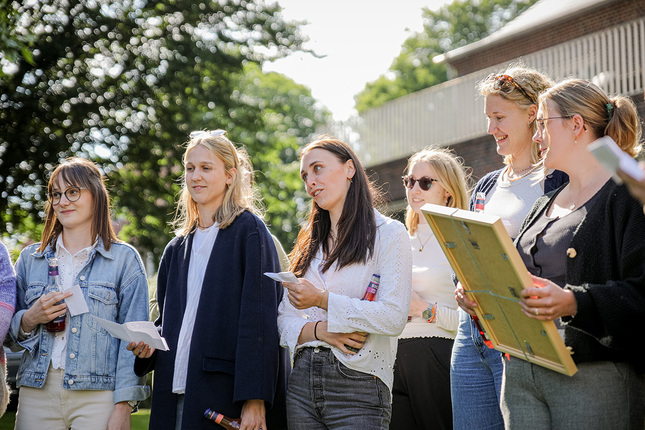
(510, 101)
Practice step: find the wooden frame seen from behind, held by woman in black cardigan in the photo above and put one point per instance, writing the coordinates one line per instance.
(493, 274)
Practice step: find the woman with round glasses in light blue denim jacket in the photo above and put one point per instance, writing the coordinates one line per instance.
(80, 377)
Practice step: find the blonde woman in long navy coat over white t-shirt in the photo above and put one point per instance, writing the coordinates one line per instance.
(217, 311)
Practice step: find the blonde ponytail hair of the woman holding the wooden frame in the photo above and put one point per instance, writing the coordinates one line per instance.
(615, 117)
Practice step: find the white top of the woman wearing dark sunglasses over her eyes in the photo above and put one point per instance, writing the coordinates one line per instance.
(432, 280)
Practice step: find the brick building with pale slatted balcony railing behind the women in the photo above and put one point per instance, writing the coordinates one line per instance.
(599, 40)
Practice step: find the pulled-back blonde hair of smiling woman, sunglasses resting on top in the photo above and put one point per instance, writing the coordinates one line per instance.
(532, 82)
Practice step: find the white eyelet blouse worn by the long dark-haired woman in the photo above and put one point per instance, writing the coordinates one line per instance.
(383, 319)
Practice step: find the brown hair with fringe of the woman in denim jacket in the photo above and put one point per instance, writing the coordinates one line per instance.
(79, 172)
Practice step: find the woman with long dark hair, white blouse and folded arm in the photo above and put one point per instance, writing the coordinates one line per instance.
(343, 347)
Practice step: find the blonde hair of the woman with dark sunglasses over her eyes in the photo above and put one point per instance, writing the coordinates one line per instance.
(451, 174)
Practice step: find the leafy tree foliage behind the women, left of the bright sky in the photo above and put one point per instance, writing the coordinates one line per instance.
(123, 82)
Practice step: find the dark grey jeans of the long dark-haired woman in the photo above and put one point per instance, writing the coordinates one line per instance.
(325, 394)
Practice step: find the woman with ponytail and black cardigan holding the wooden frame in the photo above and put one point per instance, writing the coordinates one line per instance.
(584, 245)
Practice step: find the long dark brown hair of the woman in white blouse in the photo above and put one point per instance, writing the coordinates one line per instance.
(356, 226)
